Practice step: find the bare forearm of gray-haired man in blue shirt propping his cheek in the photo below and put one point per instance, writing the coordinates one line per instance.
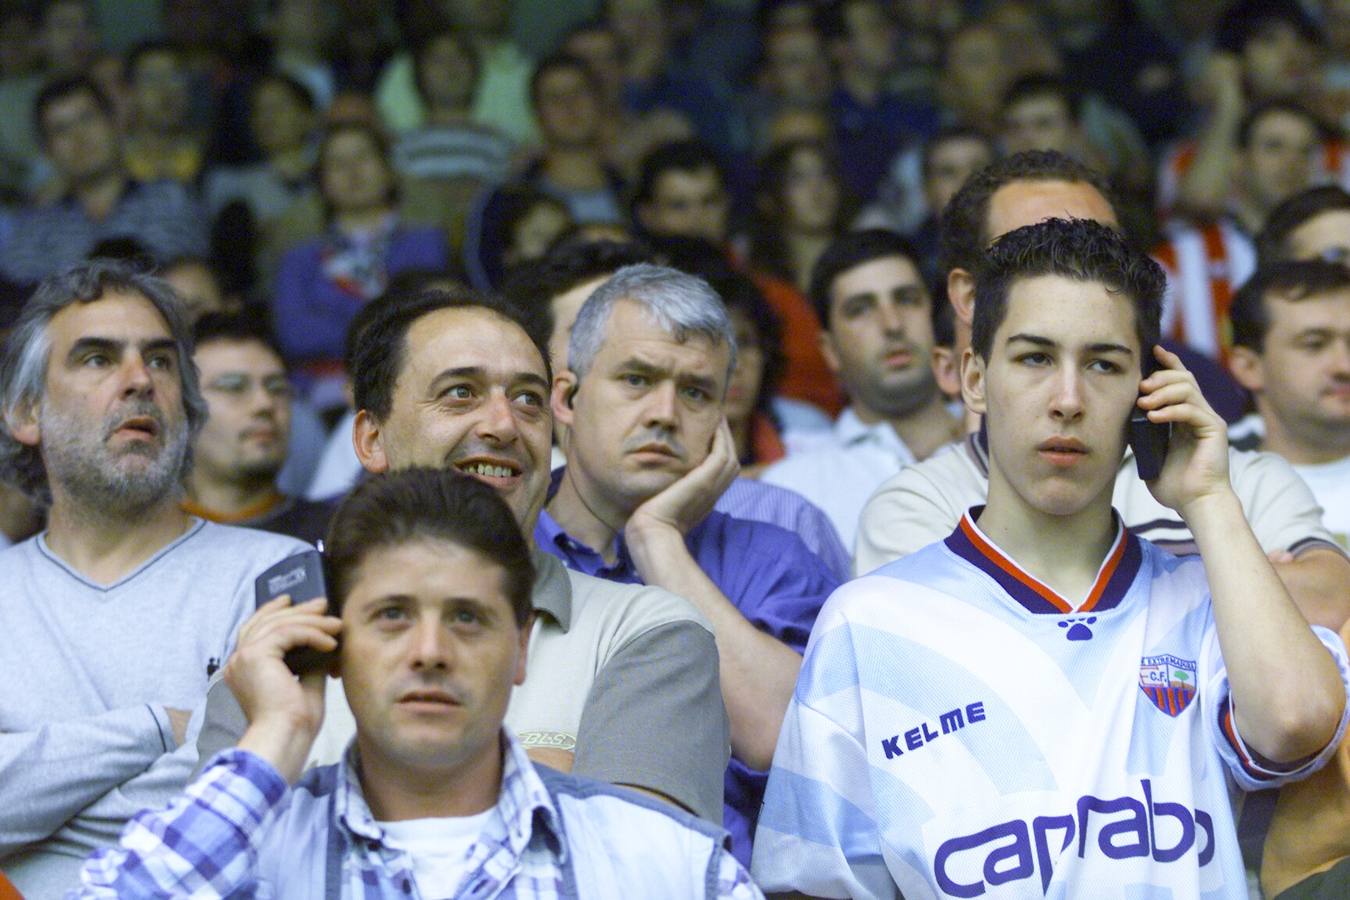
(758, 671)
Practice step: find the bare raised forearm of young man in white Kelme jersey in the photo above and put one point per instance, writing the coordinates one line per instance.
(1287, 692)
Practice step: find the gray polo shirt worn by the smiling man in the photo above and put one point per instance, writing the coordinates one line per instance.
(623, 675)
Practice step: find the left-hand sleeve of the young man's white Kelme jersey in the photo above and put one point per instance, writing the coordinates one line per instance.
(817, 831)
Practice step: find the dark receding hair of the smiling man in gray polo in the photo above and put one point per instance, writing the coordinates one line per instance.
(380, 346)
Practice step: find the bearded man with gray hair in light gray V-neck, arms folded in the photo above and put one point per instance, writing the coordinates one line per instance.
(118, 615)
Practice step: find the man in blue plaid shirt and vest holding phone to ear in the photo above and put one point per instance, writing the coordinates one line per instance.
(431, 581)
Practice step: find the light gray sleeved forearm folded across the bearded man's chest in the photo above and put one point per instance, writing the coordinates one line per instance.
(52, 774)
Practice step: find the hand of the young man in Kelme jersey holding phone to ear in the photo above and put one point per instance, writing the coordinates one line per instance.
(1197, 458)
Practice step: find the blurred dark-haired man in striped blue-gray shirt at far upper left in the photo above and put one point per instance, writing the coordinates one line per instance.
(99, 199)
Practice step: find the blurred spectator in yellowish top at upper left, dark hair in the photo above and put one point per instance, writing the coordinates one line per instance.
(160, 142)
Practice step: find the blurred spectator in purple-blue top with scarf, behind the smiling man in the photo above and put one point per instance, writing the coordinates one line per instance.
(323, 283)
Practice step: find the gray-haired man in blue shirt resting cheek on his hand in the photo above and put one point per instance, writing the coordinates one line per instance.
(650, 453)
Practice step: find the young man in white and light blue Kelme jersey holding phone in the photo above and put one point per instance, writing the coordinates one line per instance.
(1044, 705)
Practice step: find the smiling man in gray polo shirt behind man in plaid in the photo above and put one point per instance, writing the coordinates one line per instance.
(623, 679)
